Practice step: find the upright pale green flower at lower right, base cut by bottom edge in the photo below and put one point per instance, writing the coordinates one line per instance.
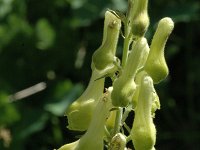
(143, 132)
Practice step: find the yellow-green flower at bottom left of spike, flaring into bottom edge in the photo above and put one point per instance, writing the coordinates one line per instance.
(93, 139)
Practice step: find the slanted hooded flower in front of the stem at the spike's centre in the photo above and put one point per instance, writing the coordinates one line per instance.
(124, 87)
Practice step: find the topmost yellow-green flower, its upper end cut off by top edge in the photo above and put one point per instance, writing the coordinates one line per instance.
(140, 18)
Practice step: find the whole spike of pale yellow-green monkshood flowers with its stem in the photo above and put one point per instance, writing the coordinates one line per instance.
(102, 114)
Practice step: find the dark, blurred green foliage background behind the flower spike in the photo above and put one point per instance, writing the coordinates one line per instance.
(46, 48)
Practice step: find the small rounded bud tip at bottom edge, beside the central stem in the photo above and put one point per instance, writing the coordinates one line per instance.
(118, 142)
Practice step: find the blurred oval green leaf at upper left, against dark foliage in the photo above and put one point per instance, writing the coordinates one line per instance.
(45, 34)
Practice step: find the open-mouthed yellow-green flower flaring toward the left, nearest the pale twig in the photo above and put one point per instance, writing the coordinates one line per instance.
(80, 112)
